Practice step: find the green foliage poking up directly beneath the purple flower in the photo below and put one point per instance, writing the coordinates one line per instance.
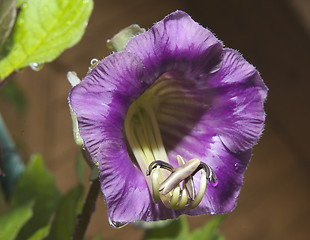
(178, 230)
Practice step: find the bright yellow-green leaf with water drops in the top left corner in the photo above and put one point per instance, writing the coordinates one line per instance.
(43, 29)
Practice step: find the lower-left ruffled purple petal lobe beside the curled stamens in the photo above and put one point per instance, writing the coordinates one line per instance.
(126, 192)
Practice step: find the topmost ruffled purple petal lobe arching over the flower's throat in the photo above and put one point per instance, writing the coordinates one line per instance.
(180, 45)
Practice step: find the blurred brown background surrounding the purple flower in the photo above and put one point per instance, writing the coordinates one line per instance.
(271, 34)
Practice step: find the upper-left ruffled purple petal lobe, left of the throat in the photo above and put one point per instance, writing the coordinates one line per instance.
(103, 97)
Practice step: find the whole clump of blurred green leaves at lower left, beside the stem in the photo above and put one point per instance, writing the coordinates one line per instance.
(50, 215)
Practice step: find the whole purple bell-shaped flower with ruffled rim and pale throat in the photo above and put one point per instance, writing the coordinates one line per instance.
(171, 112)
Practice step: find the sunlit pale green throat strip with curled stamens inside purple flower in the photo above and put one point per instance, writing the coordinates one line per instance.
(174, 187)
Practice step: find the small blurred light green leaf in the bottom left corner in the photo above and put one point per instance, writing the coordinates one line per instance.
(12, 221)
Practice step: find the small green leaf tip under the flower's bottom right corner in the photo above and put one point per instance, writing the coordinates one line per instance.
(210, 231)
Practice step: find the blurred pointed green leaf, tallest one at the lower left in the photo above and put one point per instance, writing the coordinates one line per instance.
(37, 184)
